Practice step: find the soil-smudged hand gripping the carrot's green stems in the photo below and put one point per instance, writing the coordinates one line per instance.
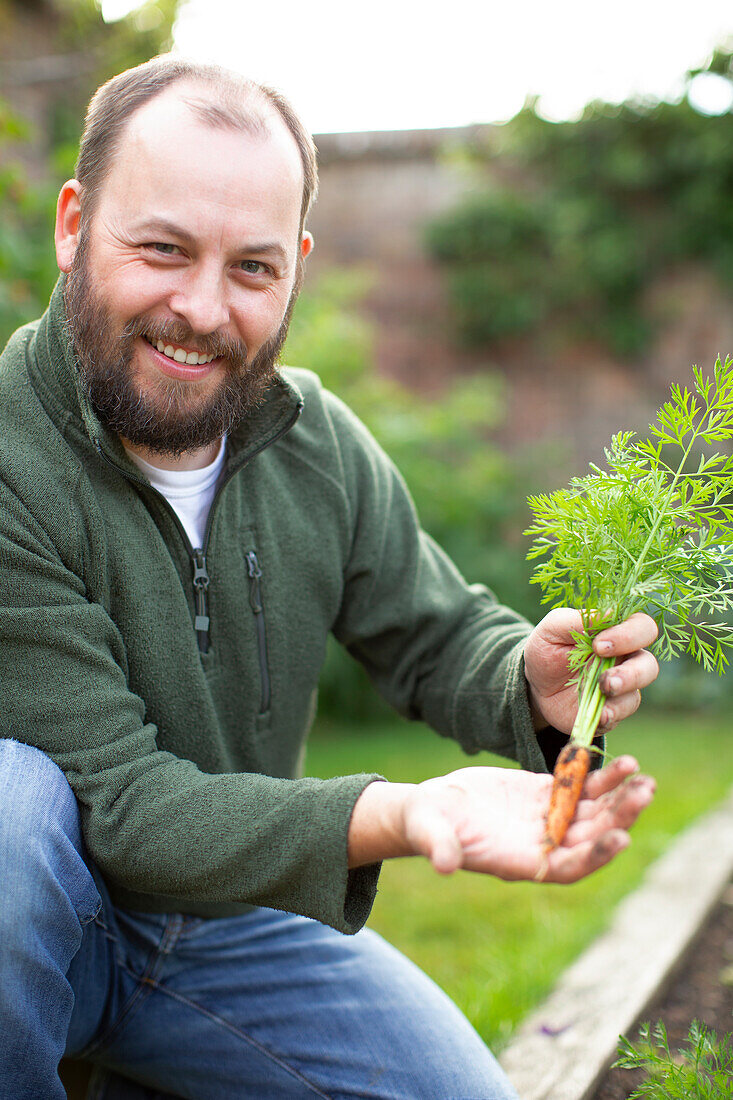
(553, 702)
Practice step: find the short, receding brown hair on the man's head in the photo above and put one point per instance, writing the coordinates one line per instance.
(237, 104)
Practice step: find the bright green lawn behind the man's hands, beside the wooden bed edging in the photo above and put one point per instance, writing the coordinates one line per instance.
(496, 948)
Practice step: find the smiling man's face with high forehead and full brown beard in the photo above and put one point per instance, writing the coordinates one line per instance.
(192, 254)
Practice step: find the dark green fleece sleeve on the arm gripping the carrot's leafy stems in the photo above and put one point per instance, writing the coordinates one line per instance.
(437, 648)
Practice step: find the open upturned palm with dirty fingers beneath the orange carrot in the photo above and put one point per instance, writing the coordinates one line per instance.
(493, 821)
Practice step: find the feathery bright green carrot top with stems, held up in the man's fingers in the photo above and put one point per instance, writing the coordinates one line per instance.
(652, 533)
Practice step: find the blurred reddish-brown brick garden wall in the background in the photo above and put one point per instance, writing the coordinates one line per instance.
(377, 193)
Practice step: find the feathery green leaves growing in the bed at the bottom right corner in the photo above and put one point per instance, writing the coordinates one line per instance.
(702, 1071)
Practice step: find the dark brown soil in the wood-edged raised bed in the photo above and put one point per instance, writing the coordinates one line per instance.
(702, 991)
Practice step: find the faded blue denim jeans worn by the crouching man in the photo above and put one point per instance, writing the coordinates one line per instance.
(262, 1006)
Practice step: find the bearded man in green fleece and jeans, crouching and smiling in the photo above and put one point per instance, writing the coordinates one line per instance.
(181, 527)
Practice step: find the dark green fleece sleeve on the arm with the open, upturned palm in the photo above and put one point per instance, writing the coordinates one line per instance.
(155, 823)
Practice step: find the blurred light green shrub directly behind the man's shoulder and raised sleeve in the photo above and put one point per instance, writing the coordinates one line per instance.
(471, 497)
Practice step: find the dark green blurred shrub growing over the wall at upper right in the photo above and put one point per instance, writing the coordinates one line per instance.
(594, 212)
